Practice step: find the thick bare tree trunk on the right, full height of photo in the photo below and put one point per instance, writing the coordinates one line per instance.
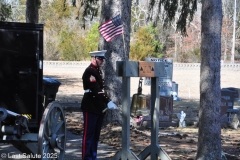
(209, 140)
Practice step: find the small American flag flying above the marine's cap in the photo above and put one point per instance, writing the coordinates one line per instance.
(111, 28)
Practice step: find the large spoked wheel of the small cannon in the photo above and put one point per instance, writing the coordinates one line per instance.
(52, 133)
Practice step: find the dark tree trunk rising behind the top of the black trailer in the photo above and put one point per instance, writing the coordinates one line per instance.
(32, 11)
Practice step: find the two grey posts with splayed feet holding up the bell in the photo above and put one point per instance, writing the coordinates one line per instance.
(127, 70)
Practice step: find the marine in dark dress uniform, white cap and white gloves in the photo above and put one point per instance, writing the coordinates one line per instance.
(94, 104)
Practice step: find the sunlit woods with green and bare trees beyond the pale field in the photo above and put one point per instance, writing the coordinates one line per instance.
(66, 39)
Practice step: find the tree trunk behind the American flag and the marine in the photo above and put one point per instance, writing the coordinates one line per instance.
(117, 50)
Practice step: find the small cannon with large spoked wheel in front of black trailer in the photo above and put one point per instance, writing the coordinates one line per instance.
(50, 140)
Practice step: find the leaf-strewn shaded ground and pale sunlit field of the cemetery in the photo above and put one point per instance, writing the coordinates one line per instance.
(179, 143)
